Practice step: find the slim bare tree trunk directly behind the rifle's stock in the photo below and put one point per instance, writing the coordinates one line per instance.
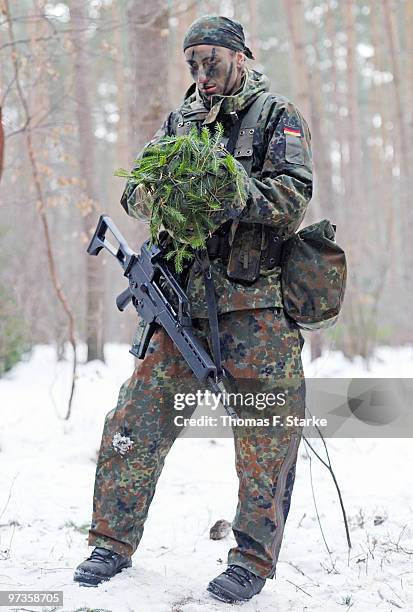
(94, 283)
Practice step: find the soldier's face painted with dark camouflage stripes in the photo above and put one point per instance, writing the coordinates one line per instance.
(215, 70)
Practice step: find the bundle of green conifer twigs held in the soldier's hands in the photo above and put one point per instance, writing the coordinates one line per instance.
(189, 178)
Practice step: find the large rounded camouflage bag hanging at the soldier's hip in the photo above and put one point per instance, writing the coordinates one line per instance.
(313, 276)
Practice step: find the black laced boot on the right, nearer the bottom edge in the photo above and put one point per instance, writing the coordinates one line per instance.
(236, 584)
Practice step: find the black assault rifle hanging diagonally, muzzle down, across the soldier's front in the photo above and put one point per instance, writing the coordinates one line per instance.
(148, 273)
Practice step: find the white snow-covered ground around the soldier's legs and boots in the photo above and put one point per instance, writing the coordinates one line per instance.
(46, 482)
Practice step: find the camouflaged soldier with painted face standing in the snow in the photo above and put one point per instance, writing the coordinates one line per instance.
(261, 346)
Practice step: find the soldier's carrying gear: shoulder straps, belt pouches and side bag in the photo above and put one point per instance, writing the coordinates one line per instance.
(313, 266)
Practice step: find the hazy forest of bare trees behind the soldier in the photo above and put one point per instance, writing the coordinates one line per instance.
(85, 83)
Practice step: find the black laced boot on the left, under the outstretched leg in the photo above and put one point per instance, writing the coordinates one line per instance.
(102, 565)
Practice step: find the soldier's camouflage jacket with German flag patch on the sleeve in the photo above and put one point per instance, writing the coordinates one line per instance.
(279, 186)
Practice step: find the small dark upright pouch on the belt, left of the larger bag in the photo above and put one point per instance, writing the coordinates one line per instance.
(244, 260)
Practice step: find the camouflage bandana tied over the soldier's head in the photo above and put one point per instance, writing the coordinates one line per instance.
(217, 30)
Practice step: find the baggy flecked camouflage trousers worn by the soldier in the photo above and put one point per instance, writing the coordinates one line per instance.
(262, 350)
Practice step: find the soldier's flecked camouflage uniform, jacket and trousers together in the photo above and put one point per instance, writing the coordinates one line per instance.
(261, 348)
